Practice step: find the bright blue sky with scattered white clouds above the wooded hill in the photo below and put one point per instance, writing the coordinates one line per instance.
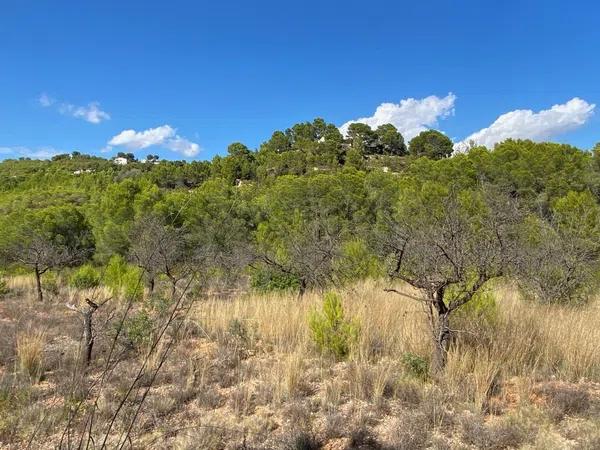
(186, 78)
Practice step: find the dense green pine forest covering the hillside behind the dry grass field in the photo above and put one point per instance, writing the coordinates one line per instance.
(309, 208)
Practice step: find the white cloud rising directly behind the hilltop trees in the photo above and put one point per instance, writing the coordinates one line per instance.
(410, 116)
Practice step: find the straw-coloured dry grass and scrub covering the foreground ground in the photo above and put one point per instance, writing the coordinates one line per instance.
(246, 371)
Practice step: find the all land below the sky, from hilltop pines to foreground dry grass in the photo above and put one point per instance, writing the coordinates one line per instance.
(320, 292)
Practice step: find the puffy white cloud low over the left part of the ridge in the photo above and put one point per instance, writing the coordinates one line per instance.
(165, 136)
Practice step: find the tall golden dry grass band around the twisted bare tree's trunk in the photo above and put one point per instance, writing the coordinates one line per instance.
(524, 338)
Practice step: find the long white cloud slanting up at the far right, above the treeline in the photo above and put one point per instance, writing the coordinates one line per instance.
(526, 124)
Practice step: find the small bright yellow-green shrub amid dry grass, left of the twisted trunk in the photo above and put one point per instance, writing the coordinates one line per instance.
(330, 330)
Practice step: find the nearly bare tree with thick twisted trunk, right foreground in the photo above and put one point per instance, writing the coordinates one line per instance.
(448, 245)
